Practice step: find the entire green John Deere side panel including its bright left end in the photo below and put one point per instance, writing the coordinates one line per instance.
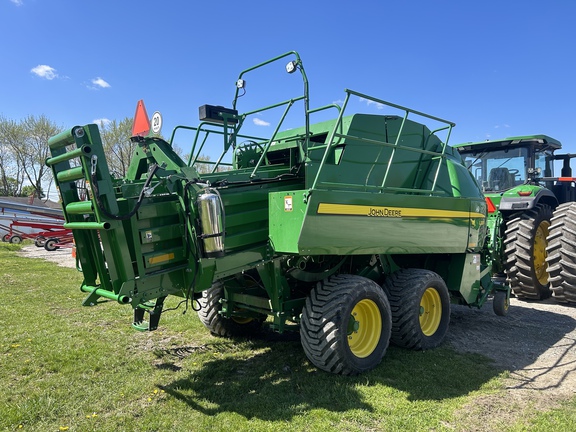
(365, 223)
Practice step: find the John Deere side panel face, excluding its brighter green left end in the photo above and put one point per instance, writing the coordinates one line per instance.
(365, 223)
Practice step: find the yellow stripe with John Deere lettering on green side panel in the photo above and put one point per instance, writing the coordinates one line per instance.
(394, 212)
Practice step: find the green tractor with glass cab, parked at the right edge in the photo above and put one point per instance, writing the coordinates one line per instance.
(516, 175)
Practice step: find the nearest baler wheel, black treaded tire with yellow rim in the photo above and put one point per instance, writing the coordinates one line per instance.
(346, 324)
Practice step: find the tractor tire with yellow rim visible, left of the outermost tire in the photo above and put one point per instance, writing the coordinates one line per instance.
(525, 247)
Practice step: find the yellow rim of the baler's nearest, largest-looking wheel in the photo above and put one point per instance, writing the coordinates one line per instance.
(364, 328)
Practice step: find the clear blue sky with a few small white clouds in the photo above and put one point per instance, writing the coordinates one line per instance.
(495, 68)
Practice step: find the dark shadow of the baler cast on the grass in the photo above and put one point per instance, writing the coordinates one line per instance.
(272, 380)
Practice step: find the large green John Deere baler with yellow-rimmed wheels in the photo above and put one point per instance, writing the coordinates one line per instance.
(356, 231)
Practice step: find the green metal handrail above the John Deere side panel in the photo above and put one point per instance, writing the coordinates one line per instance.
(407, 111)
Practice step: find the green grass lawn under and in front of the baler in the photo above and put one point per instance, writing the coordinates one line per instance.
(67, 367)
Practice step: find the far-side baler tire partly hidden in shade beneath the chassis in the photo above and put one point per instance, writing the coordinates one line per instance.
(218, 325)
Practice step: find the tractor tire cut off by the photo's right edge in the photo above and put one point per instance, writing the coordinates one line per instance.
(562, 253)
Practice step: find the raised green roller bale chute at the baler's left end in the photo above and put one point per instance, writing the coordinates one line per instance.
(102, 246)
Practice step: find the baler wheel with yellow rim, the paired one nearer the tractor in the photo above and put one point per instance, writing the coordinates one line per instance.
(414, 295)
